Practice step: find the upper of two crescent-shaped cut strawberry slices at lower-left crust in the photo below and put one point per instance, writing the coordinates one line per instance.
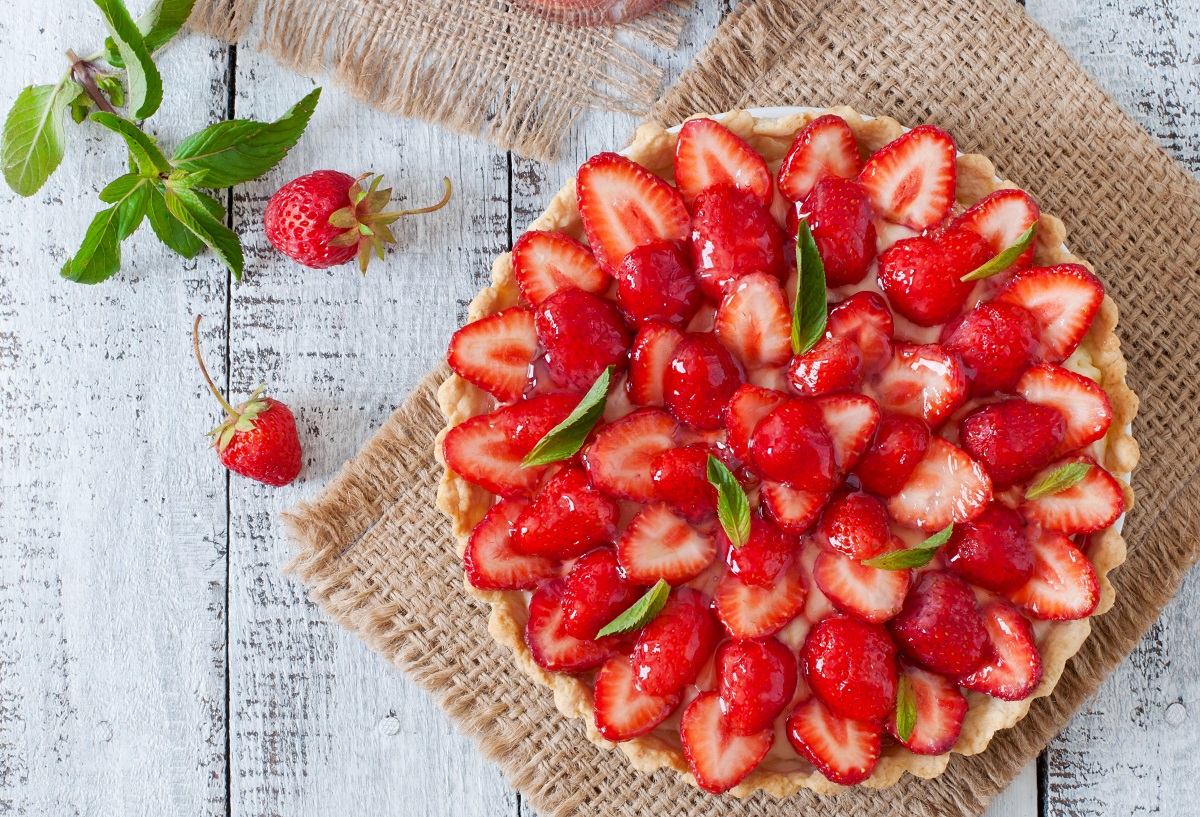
(491, 561)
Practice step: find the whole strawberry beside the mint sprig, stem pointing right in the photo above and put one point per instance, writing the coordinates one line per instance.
(327, 219)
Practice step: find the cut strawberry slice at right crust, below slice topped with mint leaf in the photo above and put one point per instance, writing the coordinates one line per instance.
(1064, 586)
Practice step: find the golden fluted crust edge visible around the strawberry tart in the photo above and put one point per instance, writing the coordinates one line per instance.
(1058, 641)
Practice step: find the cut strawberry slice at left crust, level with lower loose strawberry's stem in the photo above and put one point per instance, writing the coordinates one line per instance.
(496, 353)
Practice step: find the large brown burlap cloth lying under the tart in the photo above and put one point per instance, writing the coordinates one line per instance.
(380, 560)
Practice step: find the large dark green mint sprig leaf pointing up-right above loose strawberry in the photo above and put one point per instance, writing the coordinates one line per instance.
(232, 153)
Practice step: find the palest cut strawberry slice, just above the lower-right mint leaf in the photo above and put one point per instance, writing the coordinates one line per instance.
(947, 486)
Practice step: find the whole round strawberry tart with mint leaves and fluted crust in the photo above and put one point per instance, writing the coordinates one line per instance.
(791, 450)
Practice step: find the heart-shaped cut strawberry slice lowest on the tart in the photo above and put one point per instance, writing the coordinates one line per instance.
(718, 758)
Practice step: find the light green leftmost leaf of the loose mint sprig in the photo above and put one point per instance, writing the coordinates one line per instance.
(33, 136)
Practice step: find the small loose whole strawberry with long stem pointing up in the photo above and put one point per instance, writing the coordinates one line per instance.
(259, 440)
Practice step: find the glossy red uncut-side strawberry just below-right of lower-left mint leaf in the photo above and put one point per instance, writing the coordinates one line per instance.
(674, 647)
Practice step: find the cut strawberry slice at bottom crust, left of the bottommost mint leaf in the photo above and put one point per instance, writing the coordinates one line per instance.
(844, 750)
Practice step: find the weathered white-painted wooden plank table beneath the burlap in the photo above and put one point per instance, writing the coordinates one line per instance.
(153, 658)
